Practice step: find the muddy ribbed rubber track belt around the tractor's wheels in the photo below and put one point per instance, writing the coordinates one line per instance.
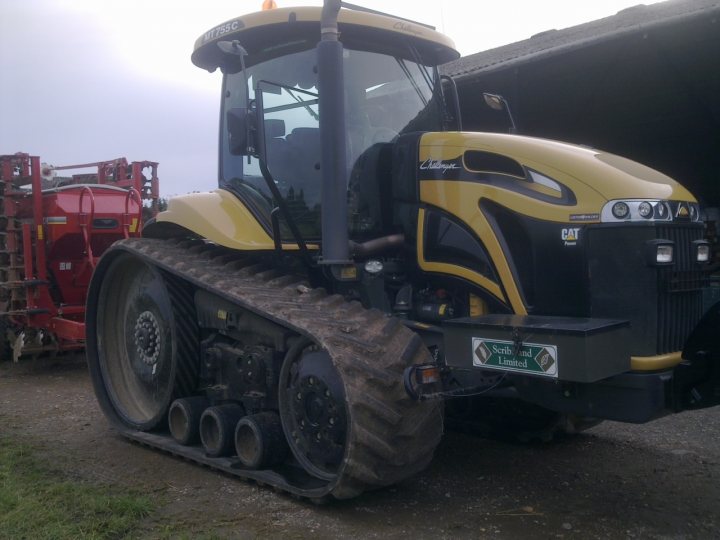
(391, 437)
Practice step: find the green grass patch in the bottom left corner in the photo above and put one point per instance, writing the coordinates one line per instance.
(37, 502)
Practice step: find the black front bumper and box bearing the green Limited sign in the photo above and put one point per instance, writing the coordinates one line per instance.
(591, 373)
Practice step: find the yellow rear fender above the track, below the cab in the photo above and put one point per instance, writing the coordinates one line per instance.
(222, 218)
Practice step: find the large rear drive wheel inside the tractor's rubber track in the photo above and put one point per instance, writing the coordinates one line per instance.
(142, 341)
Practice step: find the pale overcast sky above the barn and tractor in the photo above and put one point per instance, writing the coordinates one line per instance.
(90, 80)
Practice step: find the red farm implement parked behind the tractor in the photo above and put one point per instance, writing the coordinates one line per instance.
(52, 231)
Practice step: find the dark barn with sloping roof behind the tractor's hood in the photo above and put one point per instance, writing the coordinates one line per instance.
(644, 83)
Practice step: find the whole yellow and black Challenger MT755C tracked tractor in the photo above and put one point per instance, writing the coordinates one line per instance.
(363, 260)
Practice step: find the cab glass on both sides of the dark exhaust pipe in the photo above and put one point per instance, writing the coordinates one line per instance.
(385, 96)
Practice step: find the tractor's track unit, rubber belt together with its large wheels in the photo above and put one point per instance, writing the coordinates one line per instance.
(342, 407)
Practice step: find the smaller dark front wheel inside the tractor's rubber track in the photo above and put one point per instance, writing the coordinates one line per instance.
(313, 410)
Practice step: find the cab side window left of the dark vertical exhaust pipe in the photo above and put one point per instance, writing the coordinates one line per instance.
(284, 90)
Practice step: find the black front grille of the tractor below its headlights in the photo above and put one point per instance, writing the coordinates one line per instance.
(680, 289)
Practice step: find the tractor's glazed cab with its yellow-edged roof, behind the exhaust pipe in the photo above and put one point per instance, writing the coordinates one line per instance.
(271, 111)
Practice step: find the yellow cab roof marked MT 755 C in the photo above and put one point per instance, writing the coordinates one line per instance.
(275, 32)
